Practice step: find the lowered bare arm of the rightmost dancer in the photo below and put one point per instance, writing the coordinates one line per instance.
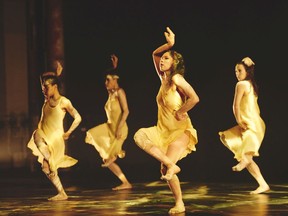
(239, 93)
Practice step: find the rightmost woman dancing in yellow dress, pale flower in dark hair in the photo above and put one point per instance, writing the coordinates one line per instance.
(244, 139)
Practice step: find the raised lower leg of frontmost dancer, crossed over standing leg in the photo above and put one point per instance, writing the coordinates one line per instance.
(143, 142)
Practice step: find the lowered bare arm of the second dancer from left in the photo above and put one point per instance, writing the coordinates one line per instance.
(125, 111)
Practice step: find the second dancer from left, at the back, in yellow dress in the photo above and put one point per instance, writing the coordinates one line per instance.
(108, 138)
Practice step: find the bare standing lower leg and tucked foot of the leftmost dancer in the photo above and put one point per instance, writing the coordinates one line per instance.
(54, 178)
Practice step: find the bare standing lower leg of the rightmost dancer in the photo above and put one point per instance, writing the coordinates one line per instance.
(256, 173)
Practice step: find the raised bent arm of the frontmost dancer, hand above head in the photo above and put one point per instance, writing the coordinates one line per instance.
(157, 53)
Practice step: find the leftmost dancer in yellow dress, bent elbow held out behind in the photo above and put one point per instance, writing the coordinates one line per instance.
(48, 140)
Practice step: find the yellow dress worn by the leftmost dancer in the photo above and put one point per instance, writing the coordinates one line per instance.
(51, 129)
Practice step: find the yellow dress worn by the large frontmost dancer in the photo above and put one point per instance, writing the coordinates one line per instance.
(168, 128)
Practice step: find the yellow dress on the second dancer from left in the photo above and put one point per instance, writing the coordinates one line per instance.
(102, 137)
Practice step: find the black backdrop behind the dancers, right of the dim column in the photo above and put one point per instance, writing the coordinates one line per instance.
(212, 36)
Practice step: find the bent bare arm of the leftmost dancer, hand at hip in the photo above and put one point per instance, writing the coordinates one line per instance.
(67, 105)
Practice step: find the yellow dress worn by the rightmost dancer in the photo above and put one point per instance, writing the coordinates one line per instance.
(240, 141)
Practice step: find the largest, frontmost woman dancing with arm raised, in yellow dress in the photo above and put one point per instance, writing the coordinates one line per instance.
(174, 136)
